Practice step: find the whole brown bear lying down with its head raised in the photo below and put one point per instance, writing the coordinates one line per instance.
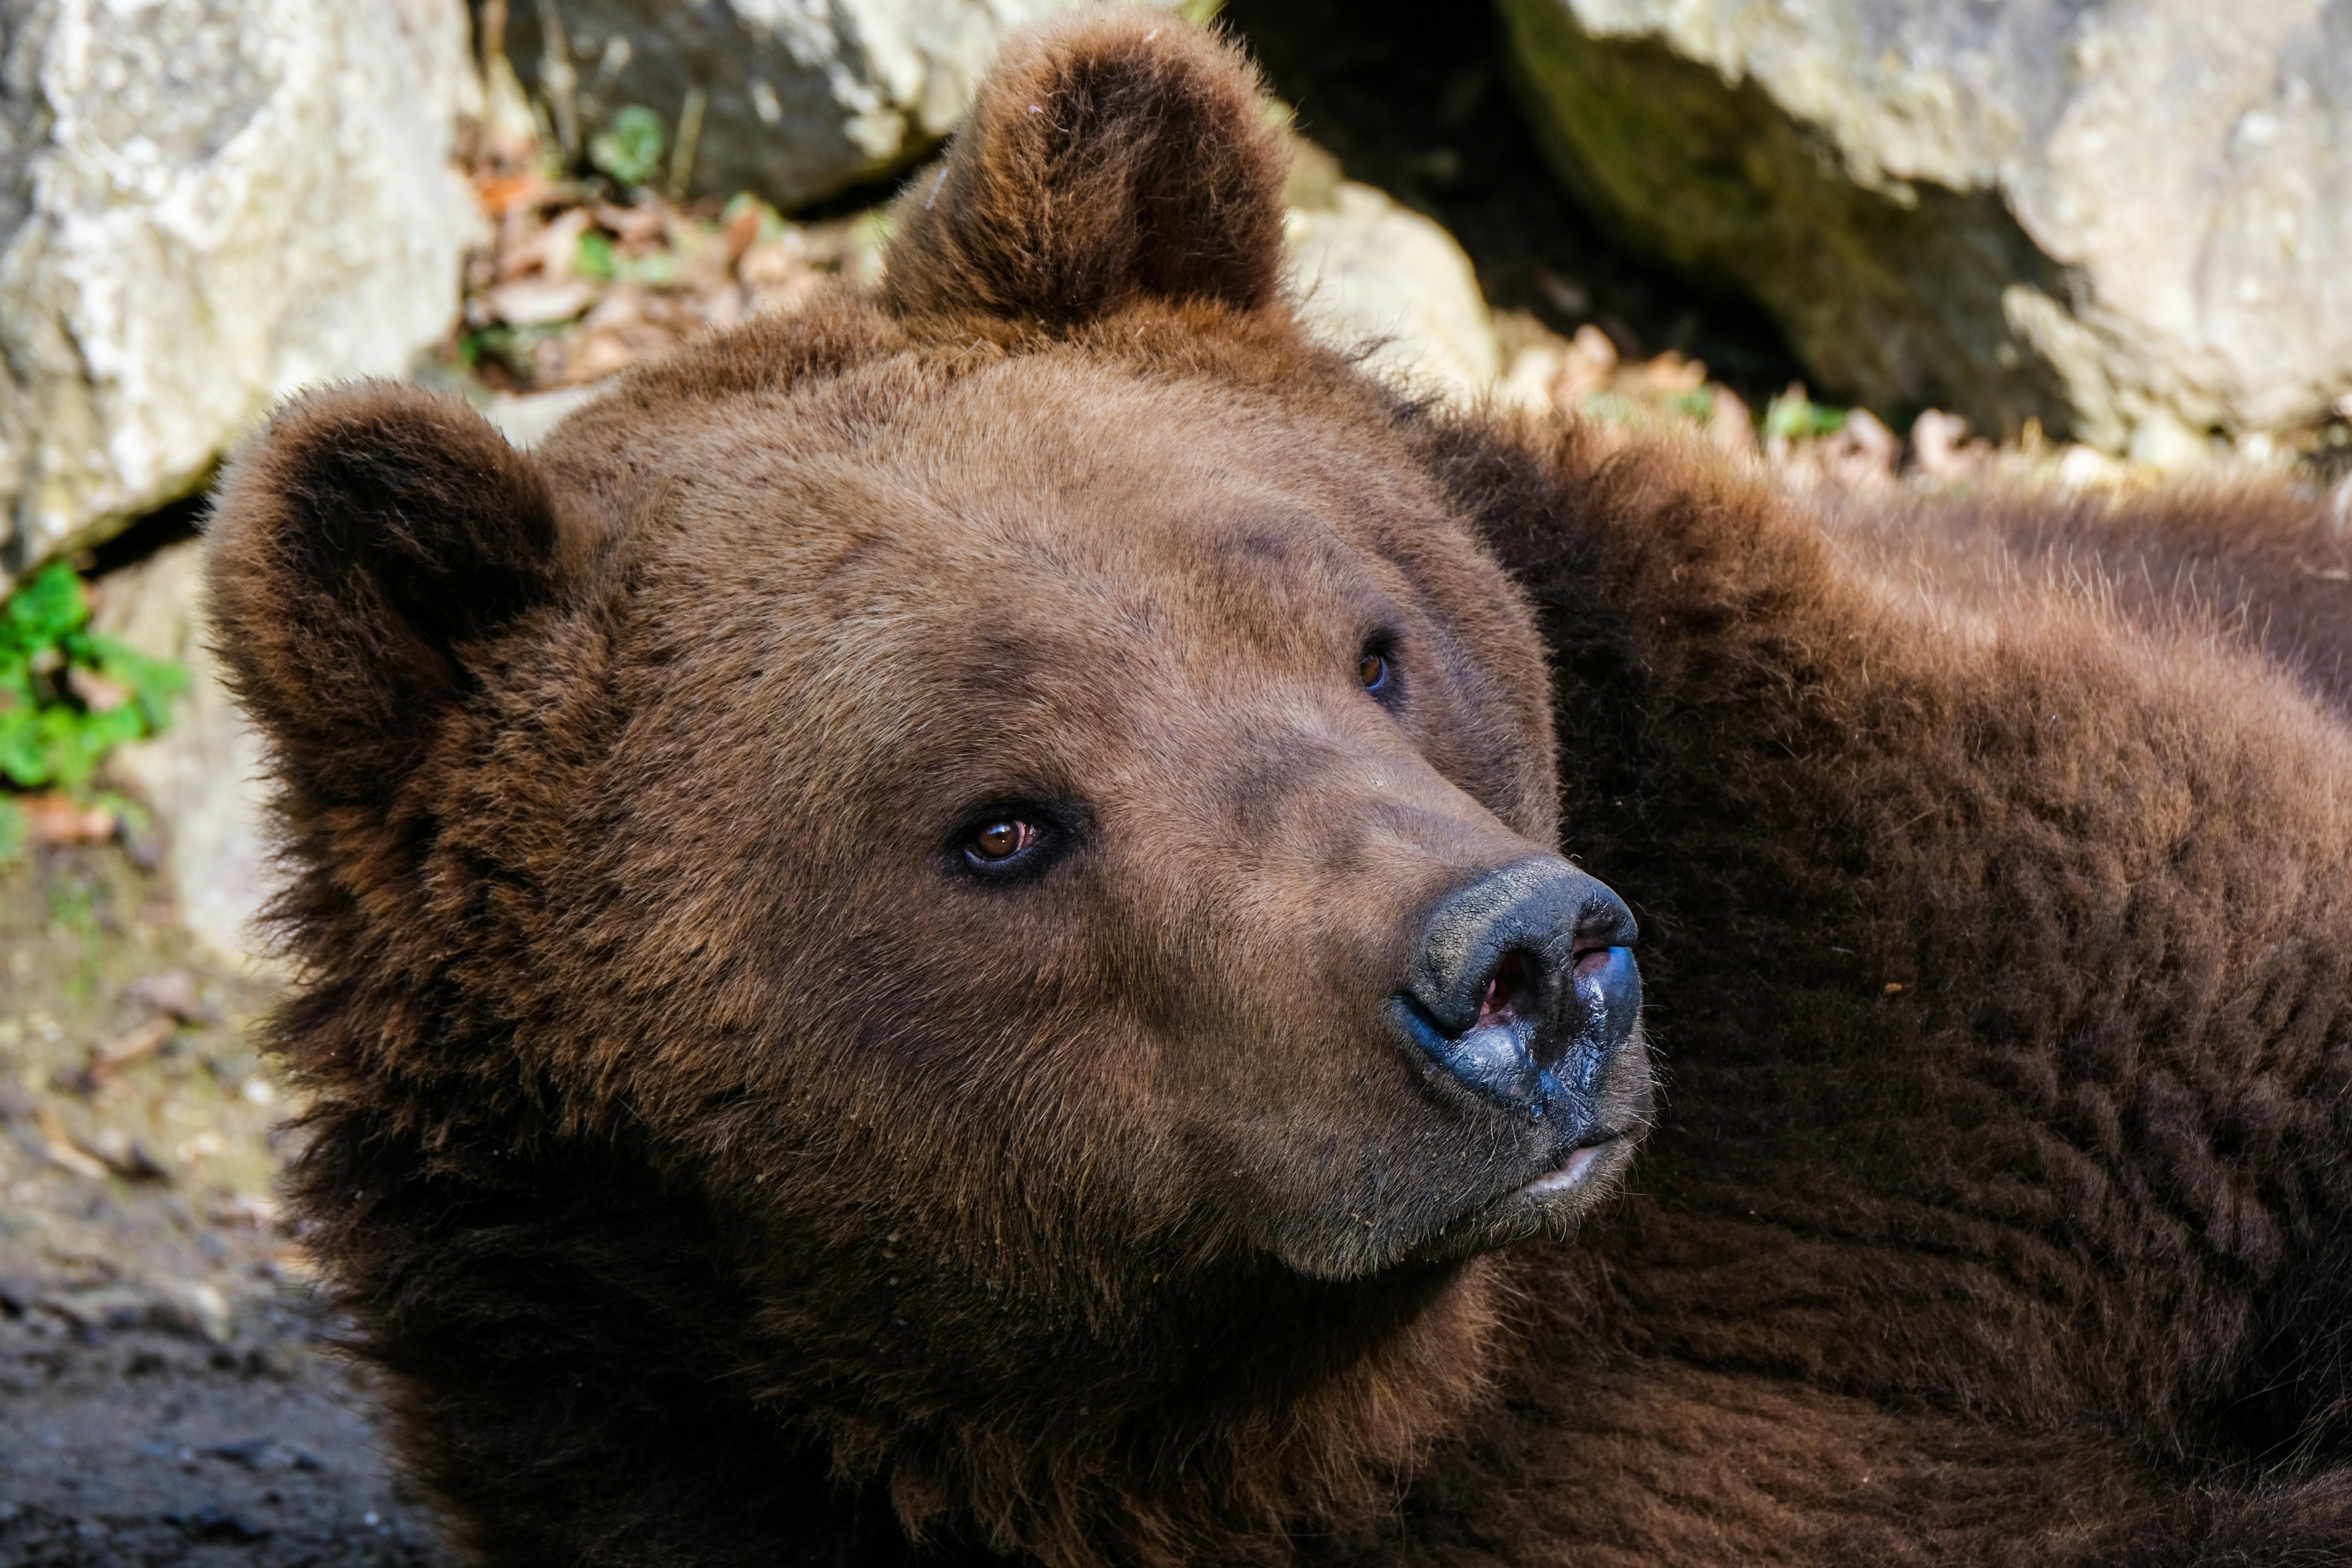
(984, 925)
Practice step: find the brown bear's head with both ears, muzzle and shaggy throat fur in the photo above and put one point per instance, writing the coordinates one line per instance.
(1020, 808)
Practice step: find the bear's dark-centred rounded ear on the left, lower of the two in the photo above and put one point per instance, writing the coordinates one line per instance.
(361, 554)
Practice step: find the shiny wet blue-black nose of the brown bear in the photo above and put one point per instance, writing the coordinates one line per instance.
(1525, 984)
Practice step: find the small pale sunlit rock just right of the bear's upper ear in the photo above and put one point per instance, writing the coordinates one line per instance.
(1382, 279)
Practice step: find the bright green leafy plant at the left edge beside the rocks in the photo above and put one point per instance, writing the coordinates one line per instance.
(67, 695)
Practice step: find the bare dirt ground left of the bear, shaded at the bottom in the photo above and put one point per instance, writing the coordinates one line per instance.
(168, 1381)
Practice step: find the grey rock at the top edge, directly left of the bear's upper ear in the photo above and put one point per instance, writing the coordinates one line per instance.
(791, 102)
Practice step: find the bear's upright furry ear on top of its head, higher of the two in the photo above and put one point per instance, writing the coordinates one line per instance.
(1109, 159)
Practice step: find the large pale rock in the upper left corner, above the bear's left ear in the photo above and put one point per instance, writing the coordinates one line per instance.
(203, 208)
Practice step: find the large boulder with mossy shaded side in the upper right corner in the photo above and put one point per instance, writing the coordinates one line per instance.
(2120, 217)
